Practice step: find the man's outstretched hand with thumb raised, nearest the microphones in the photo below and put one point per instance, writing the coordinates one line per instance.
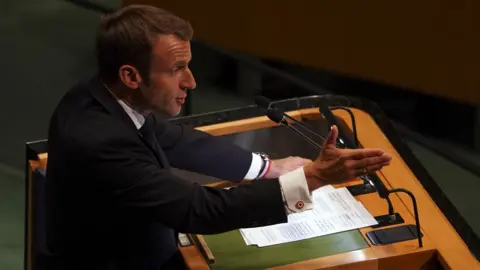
(335, 166)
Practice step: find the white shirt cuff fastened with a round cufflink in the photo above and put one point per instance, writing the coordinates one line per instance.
(296, 196)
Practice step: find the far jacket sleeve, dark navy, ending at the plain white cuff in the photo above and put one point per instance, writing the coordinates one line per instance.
(193, 150)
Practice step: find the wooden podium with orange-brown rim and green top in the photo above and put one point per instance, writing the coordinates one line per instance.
(443, 246)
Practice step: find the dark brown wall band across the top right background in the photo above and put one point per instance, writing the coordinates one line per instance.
(430, 46)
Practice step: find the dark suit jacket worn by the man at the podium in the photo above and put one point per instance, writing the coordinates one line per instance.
(113, 202)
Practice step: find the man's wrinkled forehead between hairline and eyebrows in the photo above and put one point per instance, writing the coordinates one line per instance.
(171, 48)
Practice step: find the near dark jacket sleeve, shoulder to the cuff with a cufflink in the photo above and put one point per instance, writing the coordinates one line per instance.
(126, 171)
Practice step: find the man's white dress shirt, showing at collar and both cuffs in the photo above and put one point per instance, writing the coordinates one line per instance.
(296, 195)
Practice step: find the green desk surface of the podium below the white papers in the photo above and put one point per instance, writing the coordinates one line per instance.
(231, 252)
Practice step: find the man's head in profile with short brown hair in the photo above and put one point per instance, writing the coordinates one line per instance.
(145, 51)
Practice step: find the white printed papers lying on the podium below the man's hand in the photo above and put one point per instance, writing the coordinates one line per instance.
(334, 210)
